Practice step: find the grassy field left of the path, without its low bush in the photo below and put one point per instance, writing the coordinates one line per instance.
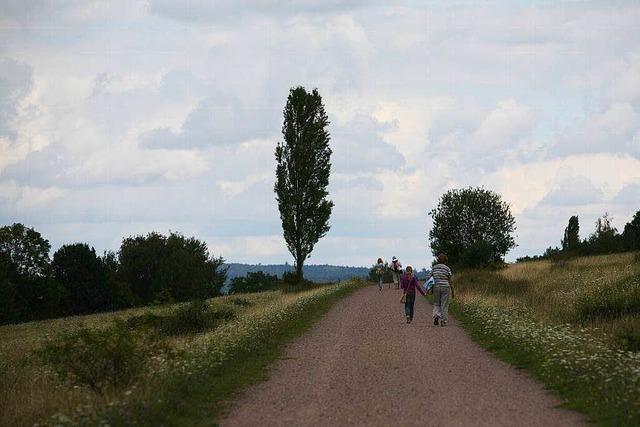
(187, 385)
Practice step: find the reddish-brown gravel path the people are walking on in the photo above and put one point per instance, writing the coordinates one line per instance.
(363, 365)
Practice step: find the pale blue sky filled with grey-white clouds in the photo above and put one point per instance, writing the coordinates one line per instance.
(118, 118)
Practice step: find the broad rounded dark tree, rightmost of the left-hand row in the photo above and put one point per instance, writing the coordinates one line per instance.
(183, 266)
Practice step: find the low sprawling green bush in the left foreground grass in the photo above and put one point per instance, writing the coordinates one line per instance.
(102, 360)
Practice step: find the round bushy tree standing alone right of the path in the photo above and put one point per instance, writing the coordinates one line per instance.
(472, 224)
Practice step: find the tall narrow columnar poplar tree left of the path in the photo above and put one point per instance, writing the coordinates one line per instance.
(302, 174)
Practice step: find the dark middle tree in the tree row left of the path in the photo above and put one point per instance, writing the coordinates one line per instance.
(84, 278)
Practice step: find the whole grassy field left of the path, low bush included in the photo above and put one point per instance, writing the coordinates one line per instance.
(184, 376)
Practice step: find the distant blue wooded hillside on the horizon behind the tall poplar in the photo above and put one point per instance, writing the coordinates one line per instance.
(315, 273)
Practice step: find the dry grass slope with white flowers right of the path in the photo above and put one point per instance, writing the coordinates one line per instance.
(574, 324)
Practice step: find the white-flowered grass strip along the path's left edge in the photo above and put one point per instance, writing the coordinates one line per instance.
(194, 391)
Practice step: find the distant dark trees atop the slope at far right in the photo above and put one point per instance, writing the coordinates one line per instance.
(605, 239)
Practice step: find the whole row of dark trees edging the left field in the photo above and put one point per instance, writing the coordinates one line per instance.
(147, 269)
